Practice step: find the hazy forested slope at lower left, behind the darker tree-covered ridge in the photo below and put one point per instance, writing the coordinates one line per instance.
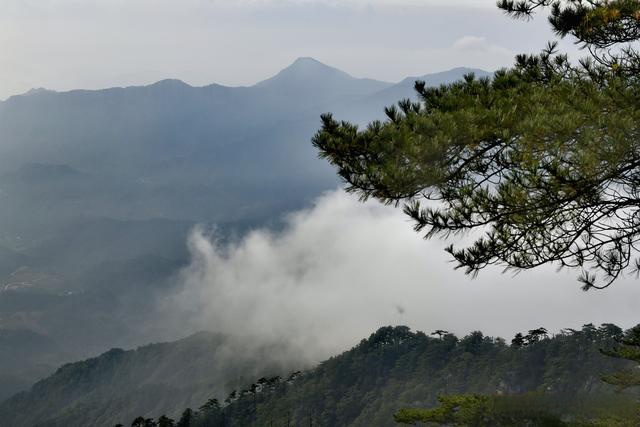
(164, 377)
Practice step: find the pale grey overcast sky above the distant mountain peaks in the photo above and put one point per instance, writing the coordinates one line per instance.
(68, 44)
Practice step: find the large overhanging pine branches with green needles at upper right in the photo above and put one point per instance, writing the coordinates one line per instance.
(541, 163)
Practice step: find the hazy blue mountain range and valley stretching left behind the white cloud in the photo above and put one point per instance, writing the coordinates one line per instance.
(99, 190)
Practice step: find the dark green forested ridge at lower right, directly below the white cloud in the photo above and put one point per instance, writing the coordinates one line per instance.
(396, 368)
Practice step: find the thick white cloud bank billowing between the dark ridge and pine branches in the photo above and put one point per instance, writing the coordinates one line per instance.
(340, 269)
